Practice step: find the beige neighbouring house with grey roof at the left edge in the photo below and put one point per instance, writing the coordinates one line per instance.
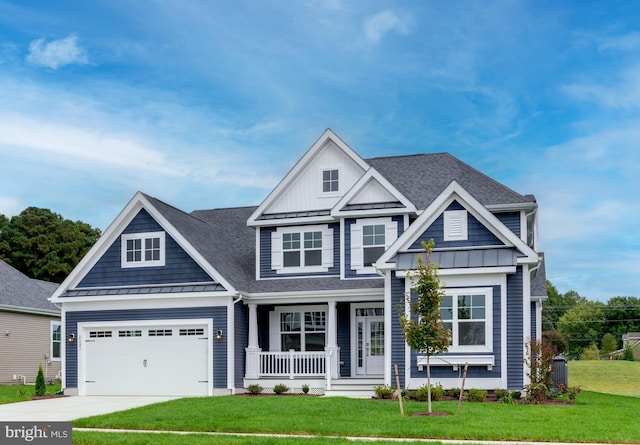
(30, 328)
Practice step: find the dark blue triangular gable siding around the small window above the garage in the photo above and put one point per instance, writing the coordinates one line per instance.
(179, 266)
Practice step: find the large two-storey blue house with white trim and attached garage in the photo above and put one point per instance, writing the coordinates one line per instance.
(306, 287)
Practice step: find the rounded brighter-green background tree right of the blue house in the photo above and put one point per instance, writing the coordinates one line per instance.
(582, 325)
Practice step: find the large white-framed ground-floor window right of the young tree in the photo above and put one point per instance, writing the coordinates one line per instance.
(467, 313)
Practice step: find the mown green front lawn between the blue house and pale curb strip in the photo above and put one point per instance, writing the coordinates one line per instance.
(594, 418)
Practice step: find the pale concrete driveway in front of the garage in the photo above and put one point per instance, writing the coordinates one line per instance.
(74, 407)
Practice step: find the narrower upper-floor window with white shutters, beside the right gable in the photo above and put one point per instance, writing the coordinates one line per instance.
(369, 239)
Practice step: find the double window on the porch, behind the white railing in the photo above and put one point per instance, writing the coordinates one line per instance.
(299, 328)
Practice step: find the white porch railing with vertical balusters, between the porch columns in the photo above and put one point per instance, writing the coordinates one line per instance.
(293, 364)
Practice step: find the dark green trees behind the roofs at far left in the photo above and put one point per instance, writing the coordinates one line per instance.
(42, 244)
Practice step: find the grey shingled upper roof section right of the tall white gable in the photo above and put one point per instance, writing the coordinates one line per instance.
(423, 177)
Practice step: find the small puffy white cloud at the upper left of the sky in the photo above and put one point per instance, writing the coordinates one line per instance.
(57, 53)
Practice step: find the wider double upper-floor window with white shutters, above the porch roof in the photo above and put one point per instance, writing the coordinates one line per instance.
(302, 249)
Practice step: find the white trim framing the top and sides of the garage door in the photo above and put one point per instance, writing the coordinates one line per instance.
(84, 327)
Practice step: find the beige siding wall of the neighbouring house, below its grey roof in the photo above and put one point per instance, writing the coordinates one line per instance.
(24, 349)
